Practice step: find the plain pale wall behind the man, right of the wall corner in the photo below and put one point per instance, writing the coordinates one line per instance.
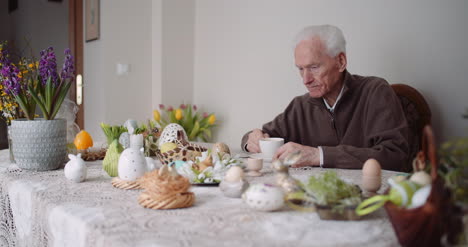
(244, 67)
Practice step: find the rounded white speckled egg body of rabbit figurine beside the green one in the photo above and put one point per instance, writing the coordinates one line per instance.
(132, 164)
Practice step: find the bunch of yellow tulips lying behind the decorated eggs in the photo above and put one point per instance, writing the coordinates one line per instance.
(196, 125)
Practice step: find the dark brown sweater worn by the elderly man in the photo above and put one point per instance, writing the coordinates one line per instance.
(368, 122)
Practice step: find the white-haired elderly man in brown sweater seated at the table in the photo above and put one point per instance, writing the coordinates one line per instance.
(344, 119)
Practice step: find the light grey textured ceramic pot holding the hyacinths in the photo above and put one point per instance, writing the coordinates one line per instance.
(40, 144)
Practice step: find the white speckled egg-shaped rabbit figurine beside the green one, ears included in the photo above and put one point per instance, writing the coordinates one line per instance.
(132, 163)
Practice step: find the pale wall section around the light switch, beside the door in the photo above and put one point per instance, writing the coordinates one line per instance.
(126, 35)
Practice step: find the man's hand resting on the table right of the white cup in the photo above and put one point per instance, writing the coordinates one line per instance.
(310, 156)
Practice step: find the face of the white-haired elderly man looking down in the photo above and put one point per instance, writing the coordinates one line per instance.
(321, 73)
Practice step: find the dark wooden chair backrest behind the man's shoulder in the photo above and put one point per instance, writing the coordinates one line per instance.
(418, 115)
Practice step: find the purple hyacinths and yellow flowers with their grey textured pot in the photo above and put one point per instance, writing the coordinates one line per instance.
(39, 143)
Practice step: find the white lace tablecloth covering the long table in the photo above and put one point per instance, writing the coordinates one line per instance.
(45, 209)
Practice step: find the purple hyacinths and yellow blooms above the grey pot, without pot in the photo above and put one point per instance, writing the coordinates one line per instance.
(32, 83)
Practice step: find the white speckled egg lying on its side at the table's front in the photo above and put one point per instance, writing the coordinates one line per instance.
(264, 197)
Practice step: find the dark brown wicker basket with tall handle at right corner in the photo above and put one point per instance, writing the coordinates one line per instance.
(426, 225)
